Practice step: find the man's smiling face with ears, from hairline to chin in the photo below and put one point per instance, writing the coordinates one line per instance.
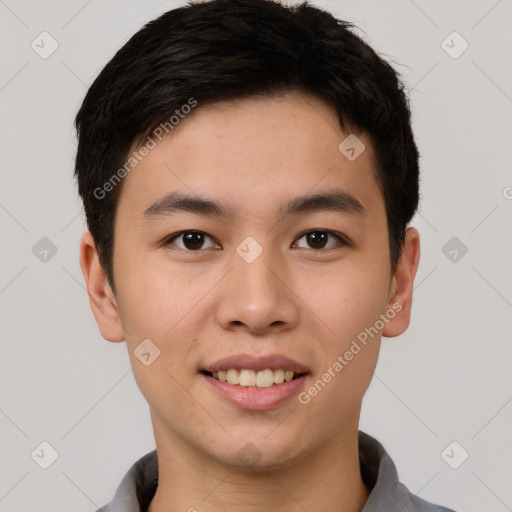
(250, 275)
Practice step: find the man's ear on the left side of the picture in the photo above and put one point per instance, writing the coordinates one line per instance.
(101, 298)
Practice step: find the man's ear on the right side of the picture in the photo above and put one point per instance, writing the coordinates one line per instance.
(400, 300)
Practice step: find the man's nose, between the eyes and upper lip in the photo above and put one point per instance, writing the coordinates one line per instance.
(258, 297)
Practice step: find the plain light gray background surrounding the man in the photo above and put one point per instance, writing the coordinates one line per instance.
(447, 379)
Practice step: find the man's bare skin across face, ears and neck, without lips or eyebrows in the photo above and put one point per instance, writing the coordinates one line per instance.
(297, 299)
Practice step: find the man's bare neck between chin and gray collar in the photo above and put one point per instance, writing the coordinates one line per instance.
(329, 478)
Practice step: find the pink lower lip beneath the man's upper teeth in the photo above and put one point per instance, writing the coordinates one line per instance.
(256, 399)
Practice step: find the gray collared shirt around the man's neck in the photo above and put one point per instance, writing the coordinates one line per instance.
(387, 494)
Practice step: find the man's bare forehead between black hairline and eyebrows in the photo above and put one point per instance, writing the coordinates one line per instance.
(252, 153)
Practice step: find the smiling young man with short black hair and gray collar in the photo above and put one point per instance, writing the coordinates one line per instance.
(248, 172)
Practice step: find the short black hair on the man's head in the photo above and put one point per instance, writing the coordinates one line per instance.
(218, 50)
